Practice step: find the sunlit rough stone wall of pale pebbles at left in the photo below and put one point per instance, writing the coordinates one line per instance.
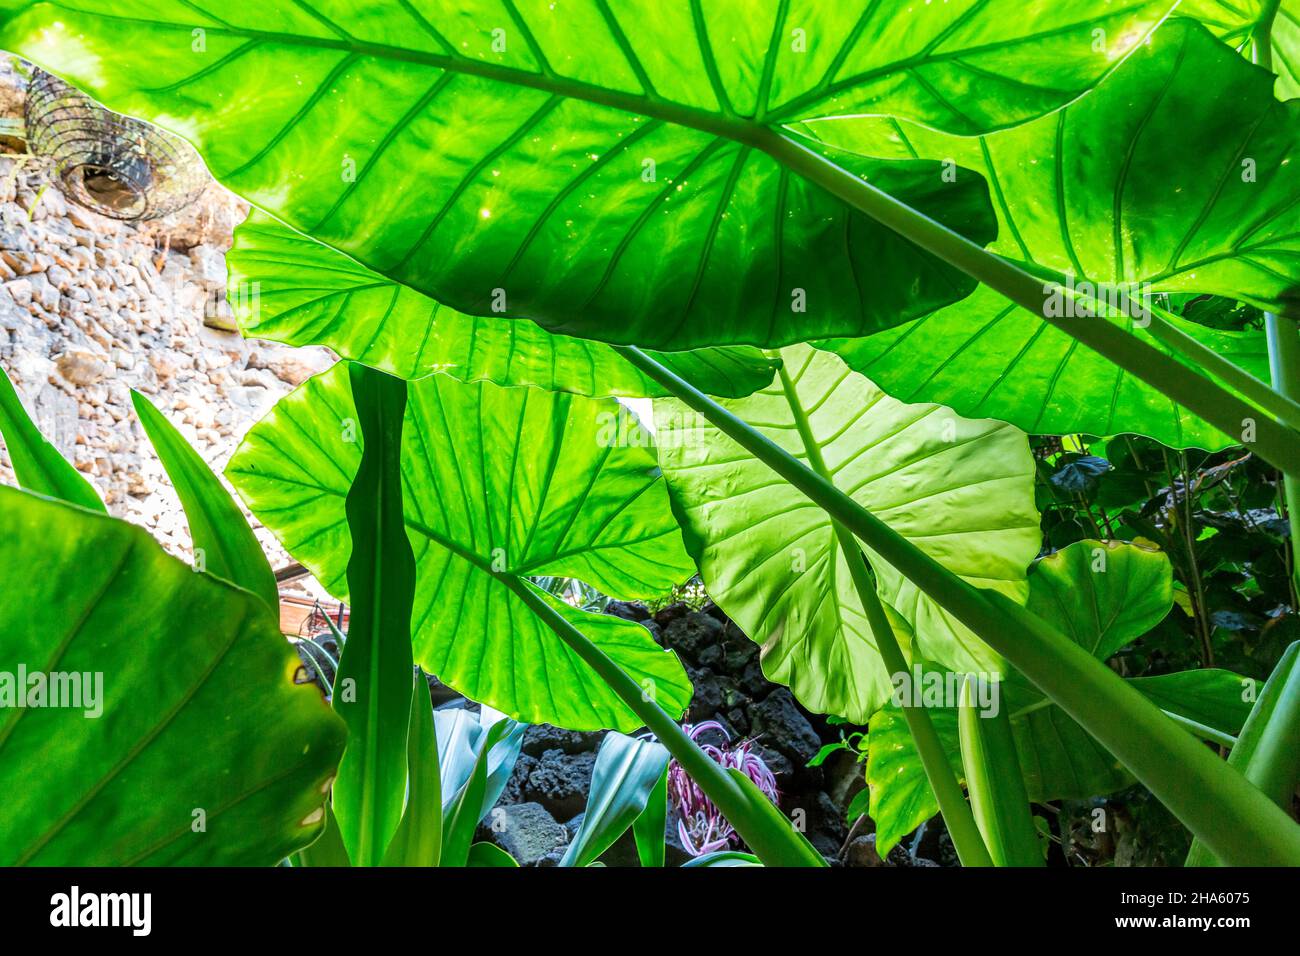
(92, 309)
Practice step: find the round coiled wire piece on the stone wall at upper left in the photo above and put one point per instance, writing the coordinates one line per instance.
(106, 162)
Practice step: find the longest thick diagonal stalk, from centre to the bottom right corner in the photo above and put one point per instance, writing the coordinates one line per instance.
(1215, 802)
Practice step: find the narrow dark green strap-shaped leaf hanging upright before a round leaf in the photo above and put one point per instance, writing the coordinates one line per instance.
(372, 689)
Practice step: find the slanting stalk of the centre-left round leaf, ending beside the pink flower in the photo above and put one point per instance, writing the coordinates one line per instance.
(777, 845)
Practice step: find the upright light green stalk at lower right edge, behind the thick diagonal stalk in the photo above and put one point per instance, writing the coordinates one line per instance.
(1267, 752)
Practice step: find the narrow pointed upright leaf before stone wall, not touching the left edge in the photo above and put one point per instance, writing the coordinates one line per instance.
(224, 544)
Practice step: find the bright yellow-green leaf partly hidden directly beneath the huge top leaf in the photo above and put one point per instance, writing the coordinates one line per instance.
(292, 289)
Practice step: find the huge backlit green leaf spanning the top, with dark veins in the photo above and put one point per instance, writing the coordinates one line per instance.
(595, 166)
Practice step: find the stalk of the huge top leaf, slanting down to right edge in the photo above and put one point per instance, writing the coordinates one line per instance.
(1276, 443)
